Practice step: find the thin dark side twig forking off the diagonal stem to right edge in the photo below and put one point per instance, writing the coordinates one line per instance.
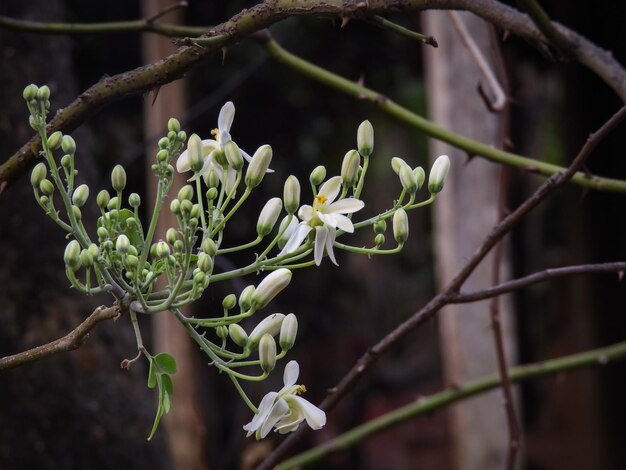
(535, 278)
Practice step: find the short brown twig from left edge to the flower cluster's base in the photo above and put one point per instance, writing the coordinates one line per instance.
(72, 340)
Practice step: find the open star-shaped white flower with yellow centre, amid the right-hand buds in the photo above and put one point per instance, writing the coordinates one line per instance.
(325, 216)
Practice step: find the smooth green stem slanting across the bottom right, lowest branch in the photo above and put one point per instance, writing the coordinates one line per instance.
(437, 401)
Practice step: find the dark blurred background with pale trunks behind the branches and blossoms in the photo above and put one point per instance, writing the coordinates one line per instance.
(80, 410)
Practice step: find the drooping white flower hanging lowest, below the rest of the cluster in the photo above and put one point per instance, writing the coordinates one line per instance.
(285, 410)
